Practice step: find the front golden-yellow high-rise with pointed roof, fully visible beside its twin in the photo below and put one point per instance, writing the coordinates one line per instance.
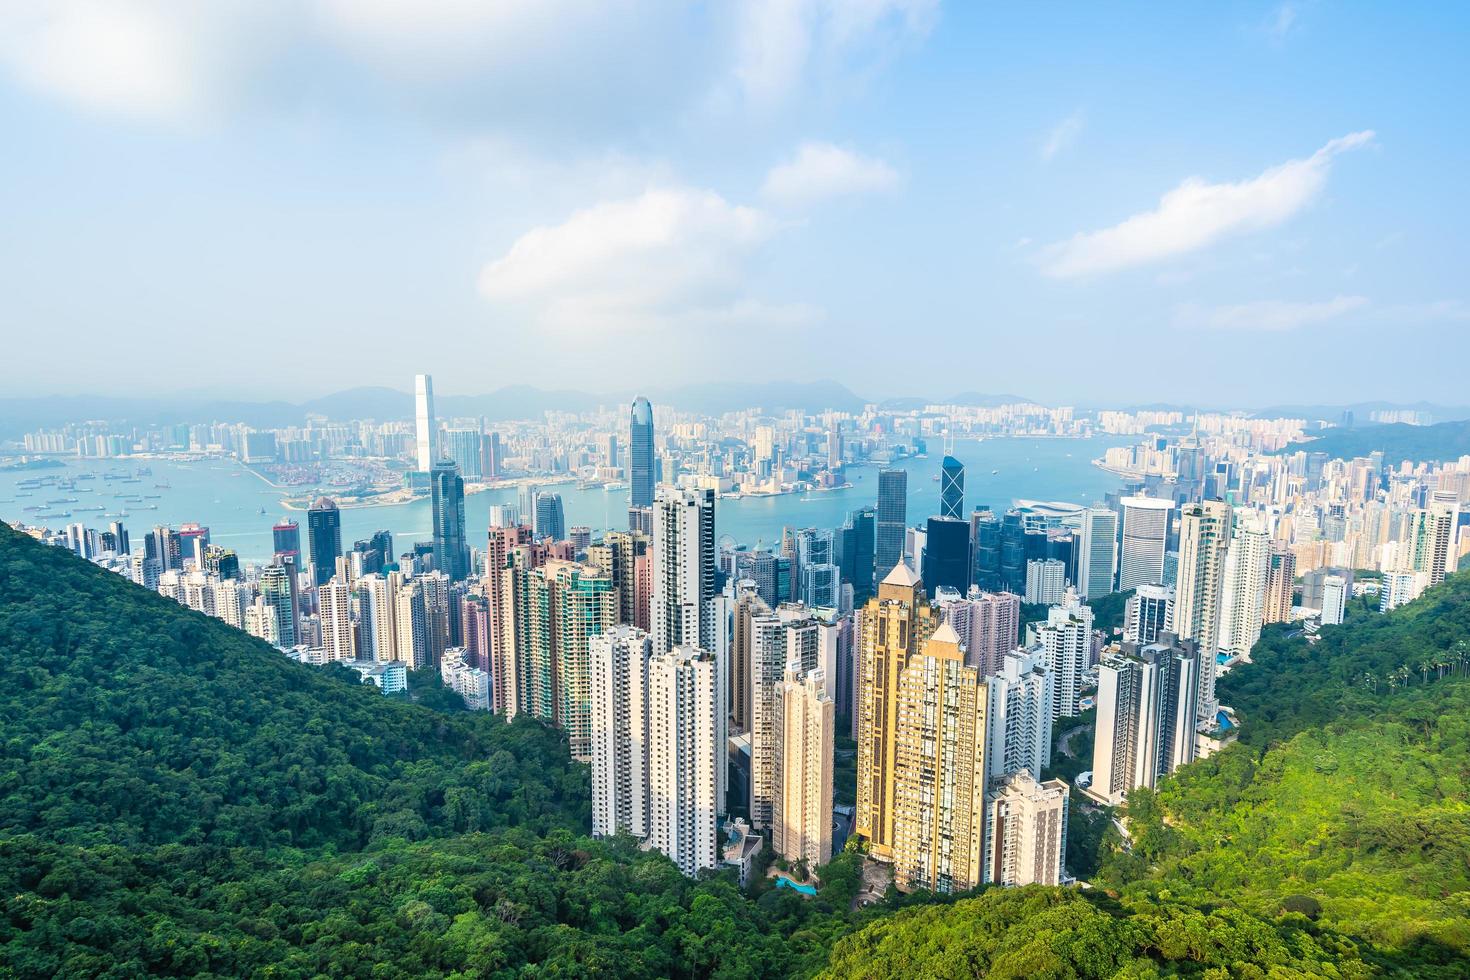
(939, 797)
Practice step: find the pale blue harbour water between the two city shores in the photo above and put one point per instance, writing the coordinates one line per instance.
(229, 499)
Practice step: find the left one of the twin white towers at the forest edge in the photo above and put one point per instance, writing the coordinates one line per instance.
(621, 732)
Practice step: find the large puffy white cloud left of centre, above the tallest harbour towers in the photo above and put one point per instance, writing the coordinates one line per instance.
(670, 256)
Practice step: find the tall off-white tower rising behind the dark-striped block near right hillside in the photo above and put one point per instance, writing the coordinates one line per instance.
(1205, 536)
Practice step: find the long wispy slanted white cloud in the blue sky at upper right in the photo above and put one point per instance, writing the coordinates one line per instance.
(1197, 215)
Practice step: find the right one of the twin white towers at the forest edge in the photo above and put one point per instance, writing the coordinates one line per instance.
(684, 757)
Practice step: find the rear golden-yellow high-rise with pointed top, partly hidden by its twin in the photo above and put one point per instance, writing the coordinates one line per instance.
(893, 625)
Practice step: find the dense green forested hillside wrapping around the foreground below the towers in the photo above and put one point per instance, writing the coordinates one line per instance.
(180, 800)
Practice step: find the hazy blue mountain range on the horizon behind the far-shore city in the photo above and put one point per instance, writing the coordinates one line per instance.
(514, 402)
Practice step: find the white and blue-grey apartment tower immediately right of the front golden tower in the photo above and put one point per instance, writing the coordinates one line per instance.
(1019, 716)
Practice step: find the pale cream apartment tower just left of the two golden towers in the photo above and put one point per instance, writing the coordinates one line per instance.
(802, 800)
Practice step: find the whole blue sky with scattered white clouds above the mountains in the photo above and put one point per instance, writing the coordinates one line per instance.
(1240, 203)
